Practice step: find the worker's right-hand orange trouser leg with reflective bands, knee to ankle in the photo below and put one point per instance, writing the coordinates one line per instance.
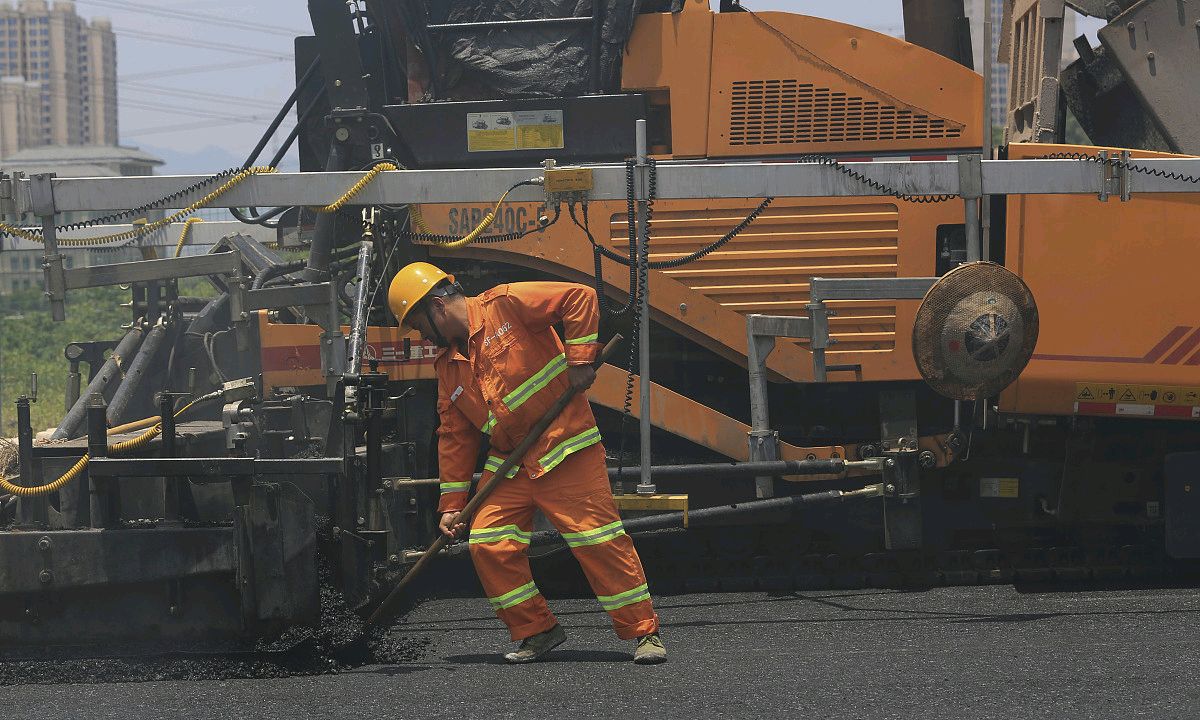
(577, 497)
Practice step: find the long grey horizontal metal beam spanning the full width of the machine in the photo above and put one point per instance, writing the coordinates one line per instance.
(676, 181)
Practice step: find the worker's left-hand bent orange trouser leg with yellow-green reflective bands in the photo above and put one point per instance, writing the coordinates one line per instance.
(500, 538)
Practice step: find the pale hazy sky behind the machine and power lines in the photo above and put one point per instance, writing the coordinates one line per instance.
(209, 121)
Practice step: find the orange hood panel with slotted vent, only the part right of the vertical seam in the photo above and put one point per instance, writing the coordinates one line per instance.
(789, 83)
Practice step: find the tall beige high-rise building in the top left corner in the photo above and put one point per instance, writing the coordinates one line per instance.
(74, 64)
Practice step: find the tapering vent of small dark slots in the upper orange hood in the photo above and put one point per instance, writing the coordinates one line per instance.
(790, 112)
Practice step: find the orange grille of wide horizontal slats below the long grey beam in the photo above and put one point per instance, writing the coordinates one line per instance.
(767, 268)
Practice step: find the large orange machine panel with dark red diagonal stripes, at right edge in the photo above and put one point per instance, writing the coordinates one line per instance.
(1119, 292)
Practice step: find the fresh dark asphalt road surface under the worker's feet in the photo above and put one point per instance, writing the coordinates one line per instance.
(985, 652)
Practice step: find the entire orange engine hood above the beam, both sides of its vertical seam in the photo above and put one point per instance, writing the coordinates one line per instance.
(771, 83)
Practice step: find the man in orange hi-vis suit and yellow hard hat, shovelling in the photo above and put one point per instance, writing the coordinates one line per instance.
(502, 368)
